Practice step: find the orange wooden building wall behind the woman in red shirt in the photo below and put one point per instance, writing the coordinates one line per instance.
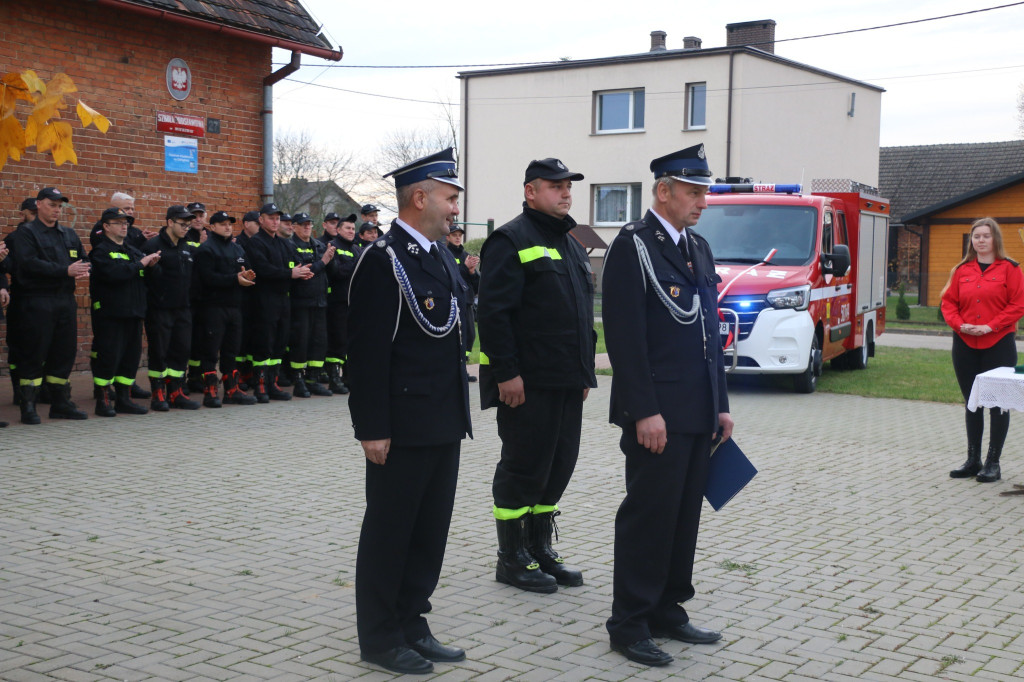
(947, 242)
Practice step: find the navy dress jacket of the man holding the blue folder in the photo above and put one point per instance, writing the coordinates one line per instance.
(661, 366)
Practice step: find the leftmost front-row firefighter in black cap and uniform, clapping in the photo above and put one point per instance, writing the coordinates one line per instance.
(50, 262)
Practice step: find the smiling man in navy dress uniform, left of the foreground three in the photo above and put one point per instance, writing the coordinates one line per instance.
(410, 407)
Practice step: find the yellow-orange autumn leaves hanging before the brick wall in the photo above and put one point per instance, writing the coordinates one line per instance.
(42, 130)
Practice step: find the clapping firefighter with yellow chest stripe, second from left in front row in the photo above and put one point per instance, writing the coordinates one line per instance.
(117, 288)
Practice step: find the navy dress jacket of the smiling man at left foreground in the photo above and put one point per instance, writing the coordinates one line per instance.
(407, 386)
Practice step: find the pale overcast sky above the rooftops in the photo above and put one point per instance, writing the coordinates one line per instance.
(952, 80)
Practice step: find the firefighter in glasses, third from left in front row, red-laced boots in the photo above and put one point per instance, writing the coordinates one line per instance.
(168, 318)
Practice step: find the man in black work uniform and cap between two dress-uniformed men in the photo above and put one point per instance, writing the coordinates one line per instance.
(537, 366)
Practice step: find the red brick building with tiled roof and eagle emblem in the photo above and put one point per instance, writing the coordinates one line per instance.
(119, 54)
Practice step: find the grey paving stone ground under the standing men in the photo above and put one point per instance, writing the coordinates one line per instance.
(220, 545)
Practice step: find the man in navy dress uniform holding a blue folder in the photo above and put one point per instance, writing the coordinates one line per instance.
(669, 397)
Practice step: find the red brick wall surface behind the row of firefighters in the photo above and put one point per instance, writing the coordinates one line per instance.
(118, 62)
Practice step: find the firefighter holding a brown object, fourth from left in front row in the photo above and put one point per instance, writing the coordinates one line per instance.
(225, 276)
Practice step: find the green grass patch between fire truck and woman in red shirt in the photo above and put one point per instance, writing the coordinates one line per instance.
(906, 374)
